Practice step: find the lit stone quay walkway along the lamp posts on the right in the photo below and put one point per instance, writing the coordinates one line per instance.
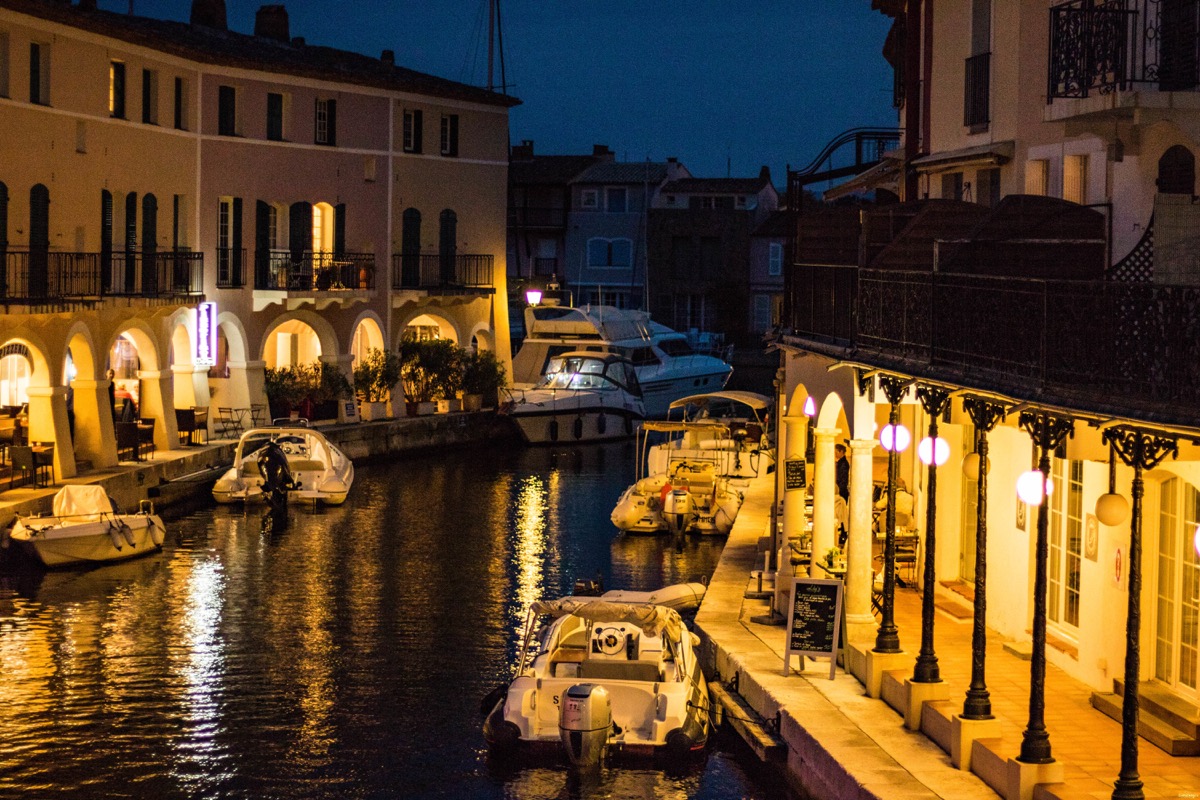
(842, 744)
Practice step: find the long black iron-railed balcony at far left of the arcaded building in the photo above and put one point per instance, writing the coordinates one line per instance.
(53, 278)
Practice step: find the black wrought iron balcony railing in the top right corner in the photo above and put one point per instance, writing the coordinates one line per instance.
(1103, 46)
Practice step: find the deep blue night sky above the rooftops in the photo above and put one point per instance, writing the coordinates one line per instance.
(724, 86)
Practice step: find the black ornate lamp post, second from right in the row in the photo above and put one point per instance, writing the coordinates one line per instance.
(1048, 431)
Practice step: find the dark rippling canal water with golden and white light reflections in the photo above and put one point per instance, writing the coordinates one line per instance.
(345, 657)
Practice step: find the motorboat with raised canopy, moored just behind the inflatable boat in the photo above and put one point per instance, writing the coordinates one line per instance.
(728, 429)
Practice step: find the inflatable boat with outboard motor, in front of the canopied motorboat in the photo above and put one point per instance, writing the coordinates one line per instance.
(689, 497)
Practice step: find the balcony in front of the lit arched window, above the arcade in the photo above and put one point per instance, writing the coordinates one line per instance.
(319, 278)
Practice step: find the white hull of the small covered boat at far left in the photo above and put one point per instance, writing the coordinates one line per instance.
(109, 540)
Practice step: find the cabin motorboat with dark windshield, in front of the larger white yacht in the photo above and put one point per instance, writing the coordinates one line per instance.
(583, 398)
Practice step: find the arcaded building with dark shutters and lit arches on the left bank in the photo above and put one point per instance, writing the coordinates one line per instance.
(325, 201)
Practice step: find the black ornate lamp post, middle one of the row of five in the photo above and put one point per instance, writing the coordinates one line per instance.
(977, 706)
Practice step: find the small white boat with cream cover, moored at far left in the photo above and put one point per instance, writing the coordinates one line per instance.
(86, 527)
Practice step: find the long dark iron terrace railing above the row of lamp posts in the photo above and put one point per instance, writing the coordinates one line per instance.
(1100, 345)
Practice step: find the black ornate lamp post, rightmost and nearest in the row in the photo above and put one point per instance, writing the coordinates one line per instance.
(1141, 450)
